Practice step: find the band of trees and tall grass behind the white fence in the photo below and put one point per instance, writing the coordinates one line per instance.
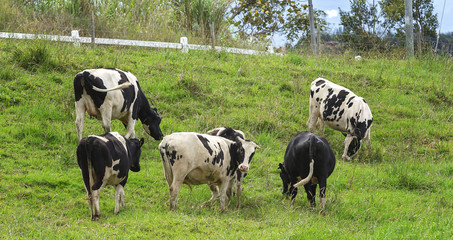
(369, 25)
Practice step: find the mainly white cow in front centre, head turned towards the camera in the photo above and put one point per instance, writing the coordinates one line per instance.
(194, 159)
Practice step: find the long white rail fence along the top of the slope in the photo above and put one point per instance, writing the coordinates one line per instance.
(183, 45)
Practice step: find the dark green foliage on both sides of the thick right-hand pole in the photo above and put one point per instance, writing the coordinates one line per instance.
(367, 27)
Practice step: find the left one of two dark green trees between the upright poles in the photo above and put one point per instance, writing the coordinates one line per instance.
(362, 27)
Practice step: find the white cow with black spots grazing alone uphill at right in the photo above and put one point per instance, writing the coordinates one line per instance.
(342, 110)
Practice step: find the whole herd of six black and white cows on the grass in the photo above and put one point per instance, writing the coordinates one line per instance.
(221, 157)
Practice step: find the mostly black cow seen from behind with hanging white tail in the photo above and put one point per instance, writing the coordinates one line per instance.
(308, 161)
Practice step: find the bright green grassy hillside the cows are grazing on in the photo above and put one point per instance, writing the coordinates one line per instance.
(402, 189)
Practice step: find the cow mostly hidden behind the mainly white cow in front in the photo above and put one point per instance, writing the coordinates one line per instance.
(232, 135)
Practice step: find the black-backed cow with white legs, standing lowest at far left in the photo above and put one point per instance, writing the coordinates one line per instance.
(106, 160)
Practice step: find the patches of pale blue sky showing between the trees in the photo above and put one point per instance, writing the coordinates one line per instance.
(331, 8)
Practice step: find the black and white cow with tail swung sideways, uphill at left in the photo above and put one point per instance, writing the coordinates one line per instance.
(96, 92)
